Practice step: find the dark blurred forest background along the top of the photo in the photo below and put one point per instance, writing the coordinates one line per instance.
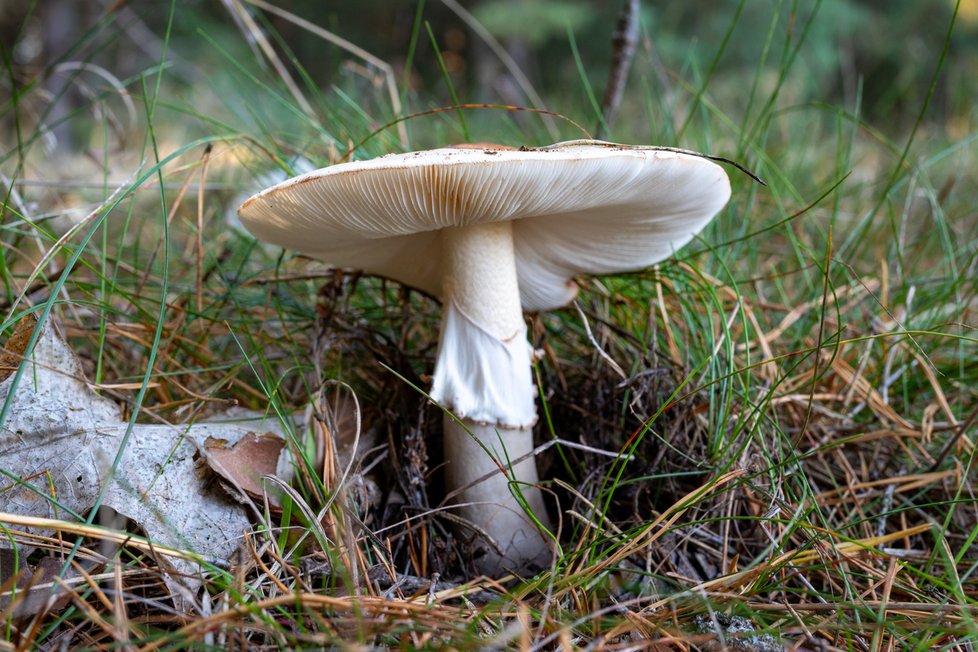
(873, 57)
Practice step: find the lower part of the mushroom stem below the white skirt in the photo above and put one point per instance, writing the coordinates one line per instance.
(491, 504)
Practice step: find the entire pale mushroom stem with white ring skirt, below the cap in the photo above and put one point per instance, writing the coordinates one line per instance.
(483, 376)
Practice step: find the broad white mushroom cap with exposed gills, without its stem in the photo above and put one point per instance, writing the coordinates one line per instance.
(577, 208)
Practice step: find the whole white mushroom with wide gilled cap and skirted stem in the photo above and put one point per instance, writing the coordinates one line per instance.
(492, 232)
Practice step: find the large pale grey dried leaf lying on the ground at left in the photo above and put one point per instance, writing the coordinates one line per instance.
(62, 445)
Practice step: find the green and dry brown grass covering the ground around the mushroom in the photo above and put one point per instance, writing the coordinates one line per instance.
(795, 390)
